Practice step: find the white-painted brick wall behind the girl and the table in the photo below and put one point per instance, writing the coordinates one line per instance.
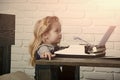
(88, 19)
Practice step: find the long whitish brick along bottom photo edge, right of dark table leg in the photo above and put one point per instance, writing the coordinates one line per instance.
(98, 75)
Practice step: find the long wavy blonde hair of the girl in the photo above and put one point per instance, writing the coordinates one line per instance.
(41, 27)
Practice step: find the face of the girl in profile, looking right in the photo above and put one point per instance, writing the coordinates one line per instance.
(54, 35)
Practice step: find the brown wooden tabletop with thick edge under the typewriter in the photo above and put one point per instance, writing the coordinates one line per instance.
(93, 62)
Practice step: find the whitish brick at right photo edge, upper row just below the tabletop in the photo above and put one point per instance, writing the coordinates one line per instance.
(103, 69)
